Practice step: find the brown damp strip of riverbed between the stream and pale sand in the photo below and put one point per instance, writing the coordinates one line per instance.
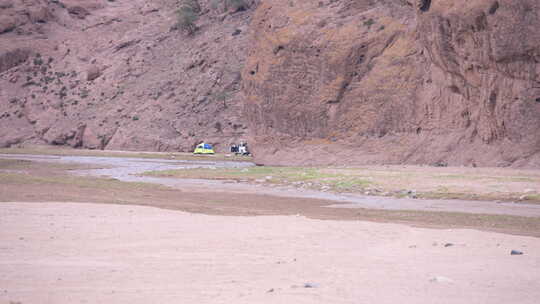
(31, 181)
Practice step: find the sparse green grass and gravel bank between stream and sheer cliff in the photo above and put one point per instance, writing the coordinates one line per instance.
(396, 182)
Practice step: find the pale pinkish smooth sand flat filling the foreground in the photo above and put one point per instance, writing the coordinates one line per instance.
(90, 253)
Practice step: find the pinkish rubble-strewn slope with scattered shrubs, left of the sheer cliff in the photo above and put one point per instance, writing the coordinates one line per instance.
(119, 75)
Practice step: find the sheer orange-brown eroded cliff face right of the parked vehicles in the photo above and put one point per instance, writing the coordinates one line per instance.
(359, 82)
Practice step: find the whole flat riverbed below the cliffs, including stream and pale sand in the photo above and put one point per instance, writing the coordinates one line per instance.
(225, 233)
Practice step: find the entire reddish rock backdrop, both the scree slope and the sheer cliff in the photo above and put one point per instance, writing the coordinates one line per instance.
(446, 82)
